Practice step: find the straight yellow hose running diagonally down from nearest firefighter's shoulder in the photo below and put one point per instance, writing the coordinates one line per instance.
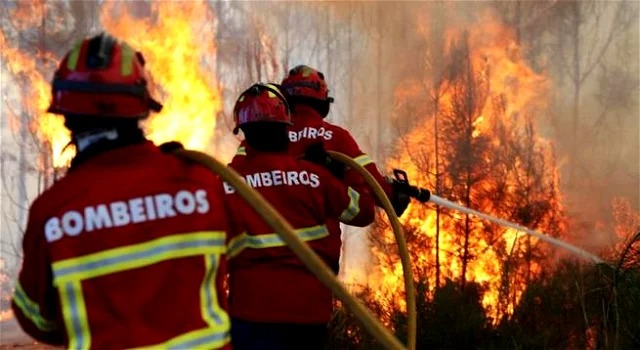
(302, 250)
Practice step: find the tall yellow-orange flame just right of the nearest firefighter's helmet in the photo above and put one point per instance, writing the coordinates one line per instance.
(178, 43)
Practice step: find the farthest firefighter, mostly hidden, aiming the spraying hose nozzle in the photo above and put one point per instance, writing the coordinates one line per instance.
(310, 135)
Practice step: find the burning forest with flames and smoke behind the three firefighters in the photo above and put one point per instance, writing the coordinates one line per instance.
(486, 107)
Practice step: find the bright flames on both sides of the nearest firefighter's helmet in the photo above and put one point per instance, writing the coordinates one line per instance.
(179, 46)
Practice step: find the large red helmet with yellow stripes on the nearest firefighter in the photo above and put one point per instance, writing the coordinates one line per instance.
(103, 77)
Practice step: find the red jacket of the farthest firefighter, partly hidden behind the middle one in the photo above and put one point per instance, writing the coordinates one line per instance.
(309, 127)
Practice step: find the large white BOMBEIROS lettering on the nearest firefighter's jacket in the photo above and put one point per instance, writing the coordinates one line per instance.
(131, 211)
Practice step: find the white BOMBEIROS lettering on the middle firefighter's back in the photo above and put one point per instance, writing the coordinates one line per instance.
(278, 178)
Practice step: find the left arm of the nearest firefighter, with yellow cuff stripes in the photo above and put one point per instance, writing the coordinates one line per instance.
(35, 300)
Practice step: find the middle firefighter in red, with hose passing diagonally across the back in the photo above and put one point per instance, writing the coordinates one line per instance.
(275, 302)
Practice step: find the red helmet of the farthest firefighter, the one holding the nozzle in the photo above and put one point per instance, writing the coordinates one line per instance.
(304, 81)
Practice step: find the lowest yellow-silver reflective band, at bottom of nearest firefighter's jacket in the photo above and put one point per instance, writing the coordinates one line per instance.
(206, 338)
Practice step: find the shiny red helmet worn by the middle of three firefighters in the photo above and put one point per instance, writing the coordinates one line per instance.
(261, 103)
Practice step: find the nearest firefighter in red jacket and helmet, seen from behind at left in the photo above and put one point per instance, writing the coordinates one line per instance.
(127, 250)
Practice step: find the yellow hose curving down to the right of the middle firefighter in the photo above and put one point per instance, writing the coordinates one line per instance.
(402, 243)
